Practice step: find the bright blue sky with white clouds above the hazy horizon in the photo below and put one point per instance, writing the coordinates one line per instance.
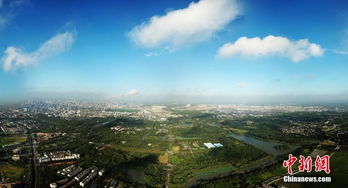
(165, 49)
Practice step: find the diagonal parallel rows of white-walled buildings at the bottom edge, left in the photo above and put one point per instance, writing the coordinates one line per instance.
(83, 177)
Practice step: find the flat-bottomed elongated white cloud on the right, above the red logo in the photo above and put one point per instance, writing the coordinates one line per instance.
(296, 50)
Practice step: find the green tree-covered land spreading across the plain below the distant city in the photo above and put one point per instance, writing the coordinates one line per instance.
(145, 151)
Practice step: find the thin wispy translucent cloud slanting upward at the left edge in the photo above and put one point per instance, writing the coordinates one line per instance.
(15, 57)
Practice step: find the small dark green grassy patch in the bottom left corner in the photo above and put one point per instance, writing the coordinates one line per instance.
(11, 172)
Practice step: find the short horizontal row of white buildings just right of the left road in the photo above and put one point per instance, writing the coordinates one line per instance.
(58, 156)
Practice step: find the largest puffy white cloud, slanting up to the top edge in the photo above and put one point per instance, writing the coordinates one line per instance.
(199, 21)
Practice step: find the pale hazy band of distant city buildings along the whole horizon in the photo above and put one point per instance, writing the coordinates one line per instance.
(79, 109)
